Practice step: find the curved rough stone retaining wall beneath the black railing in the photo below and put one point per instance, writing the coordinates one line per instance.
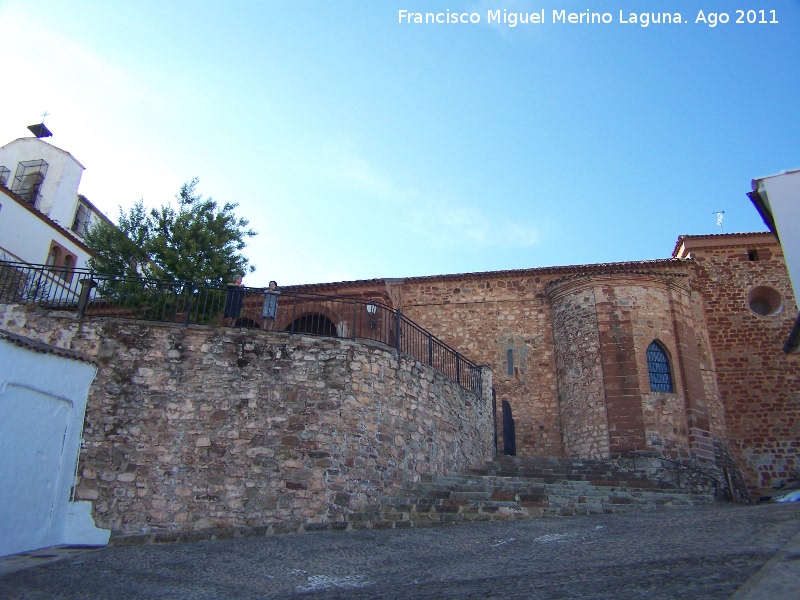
(199, 427)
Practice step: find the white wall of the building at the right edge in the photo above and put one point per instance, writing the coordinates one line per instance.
(782, 193)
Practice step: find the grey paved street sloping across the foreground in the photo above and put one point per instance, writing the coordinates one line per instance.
(706, 552)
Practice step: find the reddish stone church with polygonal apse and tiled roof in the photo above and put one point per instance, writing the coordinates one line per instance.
(680, 358)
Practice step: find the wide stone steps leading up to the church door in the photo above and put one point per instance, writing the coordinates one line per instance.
(522, 488)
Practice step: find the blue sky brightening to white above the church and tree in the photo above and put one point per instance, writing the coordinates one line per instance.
(359, 147)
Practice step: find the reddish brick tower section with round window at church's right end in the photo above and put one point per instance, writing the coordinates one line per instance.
(758, 385)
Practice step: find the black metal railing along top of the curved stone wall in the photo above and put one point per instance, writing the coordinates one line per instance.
(94, 294)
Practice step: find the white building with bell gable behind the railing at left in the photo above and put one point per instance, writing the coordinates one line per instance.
(43, 218)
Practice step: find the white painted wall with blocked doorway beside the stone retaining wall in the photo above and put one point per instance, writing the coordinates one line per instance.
(42, 407)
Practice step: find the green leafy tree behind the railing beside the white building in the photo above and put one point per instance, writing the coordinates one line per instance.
(198, 241)
